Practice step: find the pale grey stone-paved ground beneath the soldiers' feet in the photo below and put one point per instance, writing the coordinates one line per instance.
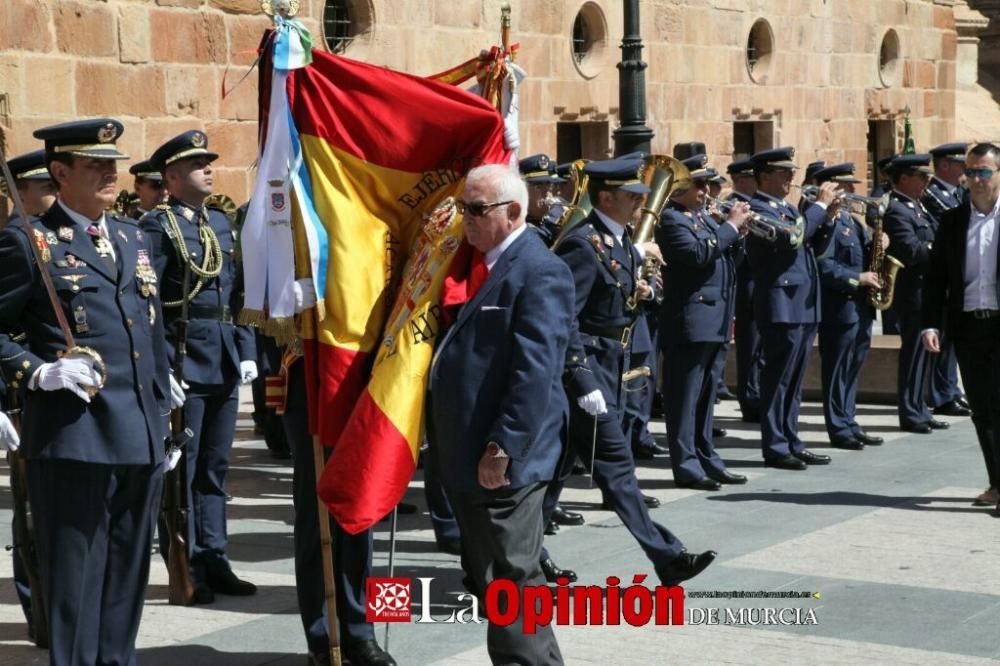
(907, 571)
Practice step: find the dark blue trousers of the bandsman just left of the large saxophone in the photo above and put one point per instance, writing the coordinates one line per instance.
(842, 349)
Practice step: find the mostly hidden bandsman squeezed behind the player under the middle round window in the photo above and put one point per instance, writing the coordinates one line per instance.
(745, 328)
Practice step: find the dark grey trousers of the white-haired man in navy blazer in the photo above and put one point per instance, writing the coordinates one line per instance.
(502, 539)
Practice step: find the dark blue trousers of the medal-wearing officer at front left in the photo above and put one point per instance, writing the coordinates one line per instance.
(93, 530)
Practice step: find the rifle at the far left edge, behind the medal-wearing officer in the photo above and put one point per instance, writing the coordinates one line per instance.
(24, 529)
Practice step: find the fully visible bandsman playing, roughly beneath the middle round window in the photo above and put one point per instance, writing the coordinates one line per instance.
(786, 303)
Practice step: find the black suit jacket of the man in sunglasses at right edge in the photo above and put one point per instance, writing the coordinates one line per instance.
(944, 288)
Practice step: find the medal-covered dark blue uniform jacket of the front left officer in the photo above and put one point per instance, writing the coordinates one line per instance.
(125, 423)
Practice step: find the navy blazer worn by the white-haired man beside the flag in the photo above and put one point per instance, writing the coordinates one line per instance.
(497, 375)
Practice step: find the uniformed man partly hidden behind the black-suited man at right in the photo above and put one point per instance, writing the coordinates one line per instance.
(944, 192)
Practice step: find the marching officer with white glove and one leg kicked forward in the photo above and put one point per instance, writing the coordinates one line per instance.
(605, 267)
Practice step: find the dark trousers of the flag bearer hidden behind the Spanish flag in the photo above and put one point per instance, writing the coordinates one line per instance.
(352, 553)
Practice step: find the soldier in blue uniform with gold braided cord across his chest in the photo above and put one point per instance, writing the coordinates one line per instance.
(186, 236)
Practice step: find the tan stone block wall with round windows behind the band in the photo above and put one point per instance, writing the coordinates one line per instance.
(158, 65)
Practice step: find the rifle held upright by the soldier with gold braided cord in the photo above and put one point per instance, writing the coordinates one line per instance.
(180, 589)
